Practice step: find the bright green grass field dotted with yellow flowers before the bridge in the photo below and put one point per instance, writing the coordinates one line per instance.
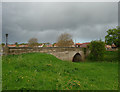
(39, 71)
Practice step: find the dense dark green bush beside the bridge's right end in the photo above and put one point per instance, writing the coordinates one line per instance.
(97, 50)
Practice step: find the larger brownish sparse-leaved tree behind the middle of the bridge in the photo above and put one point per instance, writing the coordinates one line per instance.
(65, 40)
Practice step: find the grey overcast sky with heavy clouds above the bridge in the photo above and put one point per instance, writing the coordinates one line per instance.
(46, 21)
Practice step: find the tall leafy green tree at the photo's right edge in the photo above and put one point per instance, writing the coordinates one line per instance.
(112, 37)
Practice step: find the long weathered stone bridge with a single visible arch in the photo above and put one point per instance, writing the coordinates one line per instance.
(64, 53)
